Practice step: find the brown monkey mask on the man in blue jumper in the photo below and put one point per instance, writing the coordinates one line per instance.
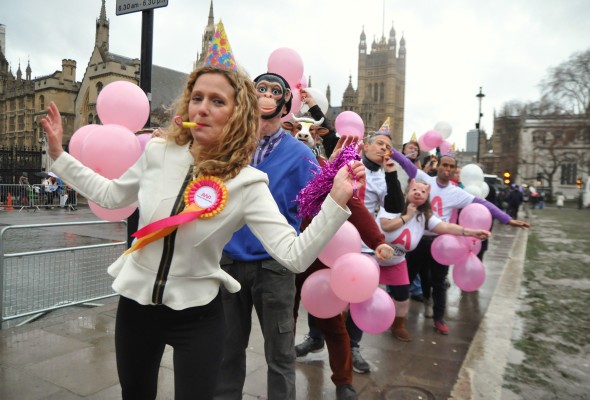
(273, 93)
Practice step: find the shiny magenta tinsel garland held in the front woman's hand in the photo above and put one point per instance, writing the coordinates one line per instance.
(311, 197)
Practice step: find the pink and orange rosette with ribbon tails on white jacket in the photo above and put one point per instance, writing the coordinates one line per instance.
(204, 198)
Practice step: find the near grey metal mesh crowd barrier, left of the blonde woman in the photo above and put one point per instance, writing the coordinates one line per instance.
(35, 282)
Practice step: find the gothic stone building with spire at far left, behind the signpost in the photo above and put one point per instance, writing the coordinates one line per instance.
(23, 100)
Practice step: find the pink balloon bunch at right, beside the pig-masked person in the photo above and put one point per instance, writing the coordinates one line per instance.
(461, 251)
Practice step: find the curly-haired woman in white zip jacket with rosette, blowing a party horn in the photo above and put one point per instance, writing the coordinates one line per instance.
(194, 188)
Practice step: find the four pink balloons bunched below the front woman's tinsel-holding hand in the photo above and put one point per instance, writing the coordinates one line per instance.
(352, 278)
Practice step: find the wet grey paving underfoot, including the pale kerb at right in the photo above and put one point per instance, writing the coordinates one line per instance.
(70, 355)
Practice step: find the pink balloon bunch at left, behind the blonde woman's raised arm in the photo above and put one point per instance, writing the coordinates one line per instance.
(112, 148)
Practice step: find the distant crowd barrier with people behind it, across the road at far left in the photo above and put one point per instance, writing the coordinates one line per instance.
(19, 197)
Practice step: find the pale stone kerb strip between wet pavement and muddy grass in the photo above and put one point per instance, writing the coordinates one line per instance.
(482, 371)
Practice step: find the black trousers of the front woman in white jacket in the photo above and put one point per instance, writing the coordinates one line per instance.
(196, 334)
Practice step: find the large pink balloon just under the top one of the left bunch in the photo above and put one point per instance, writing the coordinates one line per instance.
(110, 150)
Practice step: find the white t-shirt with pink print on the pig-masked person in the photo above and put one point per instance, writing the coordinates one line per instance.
(406, 237)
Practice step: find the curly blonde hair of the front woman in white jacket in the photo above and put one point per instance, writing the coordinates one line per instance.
(237, 142)
